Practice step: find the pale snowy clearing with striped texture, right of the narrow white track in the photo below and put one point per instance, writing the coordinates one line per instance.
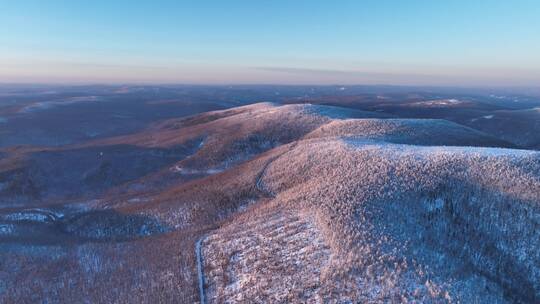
(272, 258)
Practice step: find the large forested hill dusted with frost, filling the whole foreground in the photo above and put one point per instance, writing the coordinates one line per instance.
(270, 203)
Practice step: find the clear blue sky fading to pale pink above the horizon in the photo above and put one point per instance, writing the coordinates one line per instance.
(414, 42)
